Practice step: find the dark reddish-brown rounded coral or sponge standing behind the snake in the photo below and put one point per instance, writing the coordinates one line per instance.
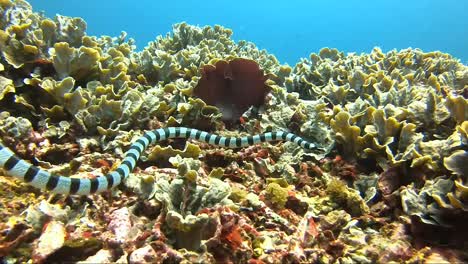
(232, 86)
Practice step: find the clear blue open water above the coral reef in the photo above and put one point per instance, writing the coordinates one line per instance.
(288, 29)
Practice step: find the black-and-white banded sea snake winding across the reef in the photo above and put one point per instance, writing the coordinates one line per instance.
(42, 179)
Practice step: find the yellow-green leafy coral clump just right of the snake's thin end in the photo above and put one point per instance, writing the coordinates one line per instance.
(387, 137)
